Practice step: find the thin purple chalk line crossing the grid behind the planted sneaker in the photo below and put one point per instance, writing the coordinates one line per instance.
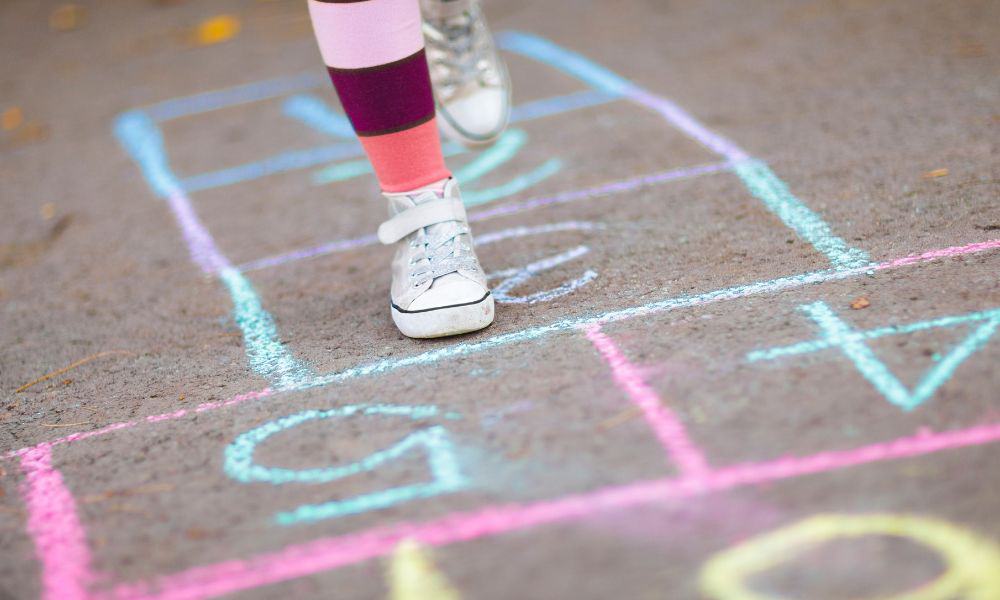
(607, 189)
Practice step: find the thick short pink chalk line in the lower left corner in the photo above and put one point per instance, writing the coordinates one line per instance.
(60, 540)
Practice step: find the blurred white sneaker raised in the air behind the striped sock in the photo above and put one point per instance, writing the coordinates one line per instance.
(471, 84)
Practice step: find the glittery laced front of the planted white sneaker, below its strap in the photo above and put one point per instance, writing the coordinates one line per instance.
(440, 250)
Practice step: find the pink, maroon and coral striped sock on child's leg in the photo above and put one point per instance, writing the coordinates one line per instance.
(374, 52)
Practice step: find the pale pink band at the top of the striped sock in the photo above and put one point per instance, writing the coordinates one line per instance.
(355, 35)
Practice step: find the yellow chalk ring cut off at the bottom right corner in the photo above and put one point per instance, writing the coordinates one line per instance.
(972, 563)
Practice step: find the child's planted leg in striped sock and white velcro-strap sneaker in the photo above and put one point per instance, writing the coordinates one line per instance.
(374, 50)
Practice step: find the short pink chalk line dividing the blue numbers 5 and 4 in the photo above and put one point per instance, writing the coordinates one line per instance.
(665, 425)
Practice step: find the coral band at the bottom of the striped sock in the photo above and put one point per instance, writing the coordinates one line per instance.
(407, 160)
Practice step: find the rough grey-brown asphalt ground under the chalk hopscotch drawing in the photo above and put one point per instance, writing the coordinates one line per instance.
(881, 117)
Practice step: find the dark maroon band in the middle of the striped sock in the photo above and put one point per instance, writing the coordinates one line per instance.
(386, 98)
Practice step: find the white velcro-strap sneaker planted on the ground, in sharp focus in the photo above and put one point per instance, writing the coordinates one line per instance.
(438, 287)
